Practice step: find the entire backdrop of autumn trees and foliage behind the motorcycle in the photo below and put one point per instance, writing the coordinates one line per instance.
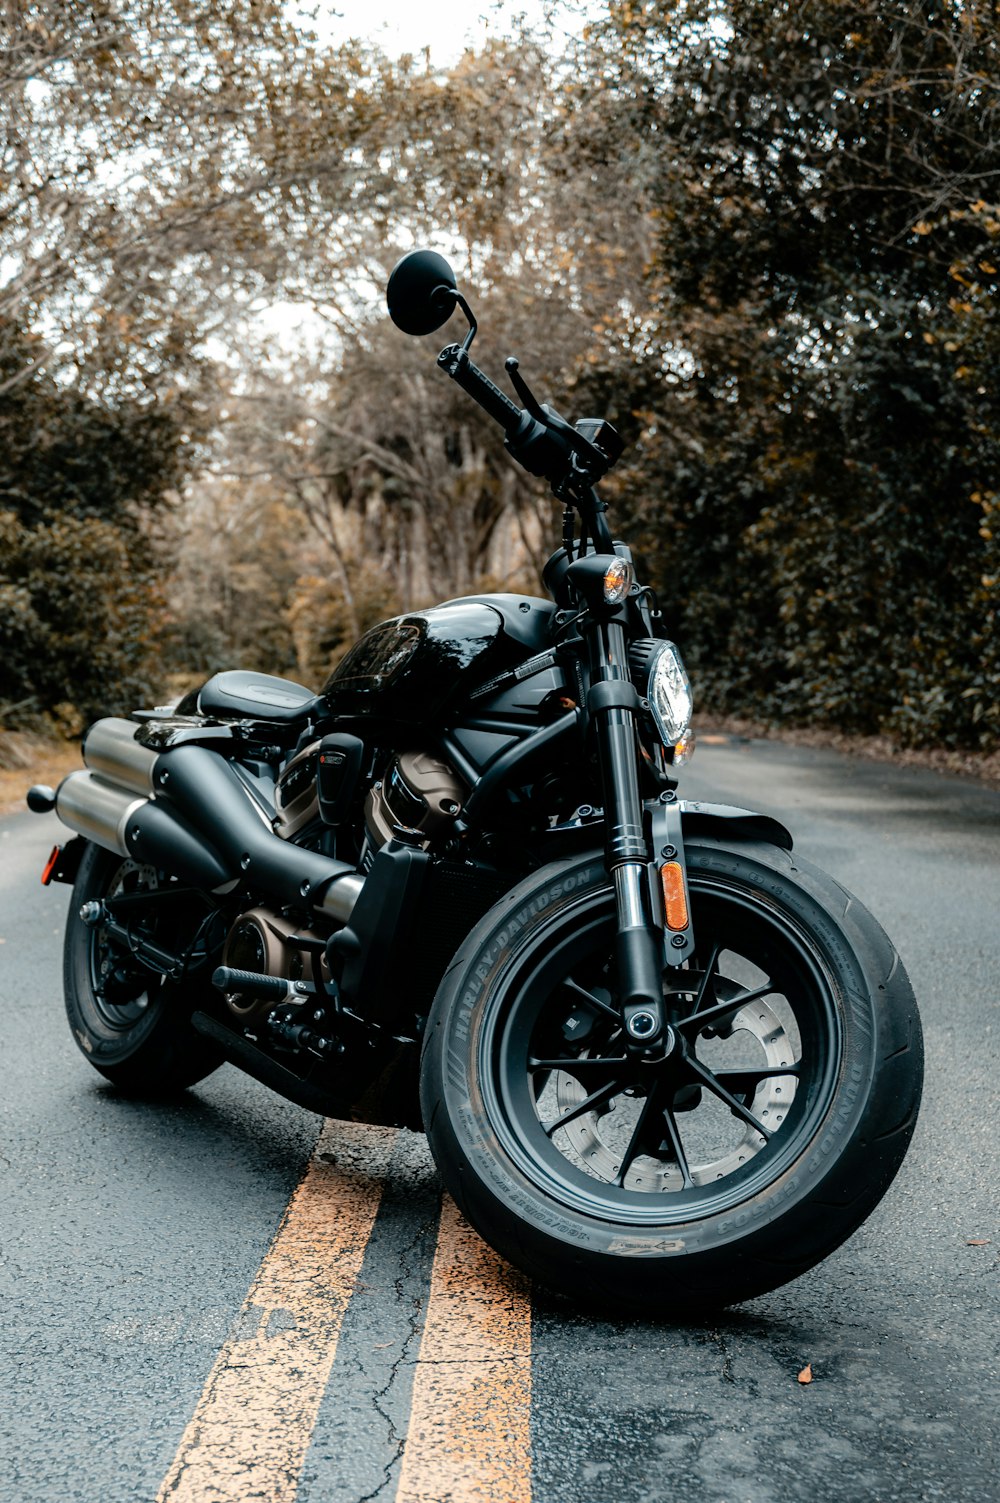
(766, 240)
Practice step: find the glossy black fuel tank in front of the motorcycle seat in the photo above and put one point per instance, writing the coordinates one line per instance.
(410, 670)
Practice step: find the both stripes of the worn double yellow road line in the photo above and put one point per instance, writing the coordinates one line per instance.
(468, 1436)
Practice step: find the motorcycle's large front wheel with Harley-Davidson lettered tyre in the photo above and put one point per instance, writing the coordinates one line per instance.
(754, 1146)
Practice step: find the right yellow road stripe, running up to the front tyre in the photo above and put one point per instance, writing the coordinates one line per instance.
(470, 1430)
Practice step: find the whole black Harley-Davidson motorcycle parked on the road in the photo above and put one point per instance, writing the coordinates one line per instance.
(662, 1062)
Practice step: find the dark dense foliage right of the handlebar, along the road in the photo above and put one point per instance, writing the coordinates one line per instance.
(814, 393)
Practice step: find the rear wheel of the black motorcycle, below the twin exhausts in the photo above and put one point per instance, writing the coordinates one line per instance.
(133, 1026)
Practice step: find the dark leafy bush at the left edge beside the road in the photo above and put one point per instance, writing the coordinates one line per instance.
(79, 603)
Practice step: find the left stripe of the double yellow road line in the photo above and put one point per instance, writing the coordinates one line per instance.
(253, 1423)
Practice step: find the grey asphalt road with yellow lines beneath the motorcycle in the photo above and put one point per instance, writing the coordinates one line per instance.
(220, 1298)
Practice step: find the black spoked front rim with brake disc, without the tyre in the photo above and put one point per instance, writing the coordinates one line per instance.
(748, 1069)
